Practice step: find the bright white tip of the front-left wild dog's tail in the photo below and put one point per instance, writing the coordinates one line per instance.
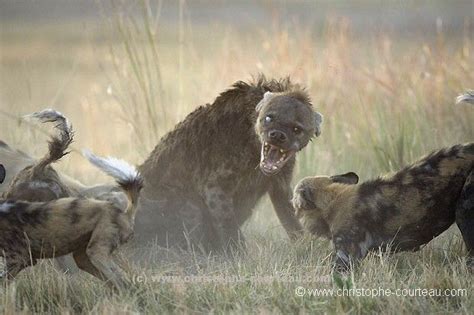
(118, 169)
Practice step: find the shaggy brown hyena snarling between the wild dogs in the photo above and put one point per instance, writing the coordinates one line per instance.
(202, 179)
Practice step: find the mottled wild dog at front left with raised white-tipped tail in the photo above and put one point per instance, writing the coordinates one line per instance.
(89, 229)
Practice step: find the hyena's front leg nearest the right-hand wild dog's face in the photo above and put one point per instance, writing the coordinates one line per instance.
(281, 195)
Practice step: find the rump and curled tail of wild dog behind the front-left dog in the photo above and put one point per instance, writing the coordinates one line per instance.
(39, 181)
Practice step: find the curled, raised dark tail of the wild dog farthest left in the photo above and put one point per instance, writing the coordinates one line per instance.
(57, 145)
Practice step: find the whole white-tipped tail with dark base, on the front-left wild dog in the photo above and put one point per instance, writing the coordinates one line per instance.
(126, 175)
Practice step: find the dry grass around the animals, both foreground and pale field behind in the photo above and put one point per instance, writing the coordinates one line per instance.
(386, 101)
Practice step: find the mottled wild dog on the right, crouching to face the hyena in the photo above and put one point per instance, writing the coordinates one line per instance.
(402, 211)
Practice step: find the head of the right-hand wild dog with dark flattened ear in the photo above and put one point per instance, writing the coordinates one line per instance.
(315, 194)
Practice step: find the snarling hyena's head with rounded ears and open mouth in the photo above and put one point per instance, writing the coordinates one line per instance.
(286, 123)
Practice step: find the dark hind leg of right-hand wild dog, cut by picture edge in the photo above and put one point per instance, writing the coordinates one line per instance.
(465, 216)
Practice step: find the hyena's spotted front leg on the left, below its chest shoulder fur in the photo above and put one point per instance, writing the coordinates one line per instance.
(223, 216)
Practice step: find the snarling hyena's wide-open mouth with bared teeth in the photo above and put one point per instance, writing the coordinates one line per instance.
(273, 158)
